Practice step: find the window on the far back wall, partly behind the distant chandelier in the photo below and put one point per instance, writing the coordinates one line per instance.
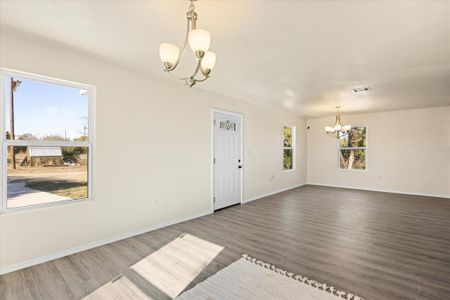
(353, 149)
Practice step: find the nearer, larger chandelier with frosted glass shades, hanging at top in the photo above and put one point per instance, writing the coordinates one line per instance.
(199, 40)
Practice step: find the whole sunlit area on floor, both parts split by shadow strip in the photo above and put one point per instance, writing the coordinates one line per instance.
(170, 269)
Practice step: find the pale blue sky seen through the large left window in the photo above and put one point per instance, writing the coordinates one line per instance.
(43, 108)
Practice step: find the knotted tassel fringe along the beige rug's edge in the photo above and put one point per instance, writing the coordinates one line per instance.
(321, 286)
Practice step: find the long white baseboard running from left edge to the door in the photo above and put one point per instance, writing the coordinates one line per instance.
(59, 254)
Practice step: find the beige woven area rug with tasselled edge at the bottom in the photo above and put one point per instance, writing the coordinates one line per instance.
(251, 279)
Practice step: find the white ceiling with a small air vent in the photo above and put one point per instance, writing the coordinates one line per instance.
(301, 55)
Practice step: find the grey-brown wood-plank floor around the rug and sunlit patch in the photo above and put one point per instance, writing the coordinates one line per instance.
(377, 245)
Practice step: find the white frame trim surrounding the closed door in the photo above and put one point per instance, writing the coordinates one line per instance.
(241, 118)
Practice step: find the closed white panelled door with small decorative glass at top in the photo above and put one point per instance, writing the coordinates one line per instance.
(227, 159)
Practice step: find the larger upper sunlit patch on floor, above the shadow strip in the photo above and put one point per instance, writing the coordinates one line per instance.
(175, 265)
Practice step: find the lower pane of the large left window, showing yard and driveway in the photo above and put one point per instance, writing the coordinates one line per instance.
(46, 174)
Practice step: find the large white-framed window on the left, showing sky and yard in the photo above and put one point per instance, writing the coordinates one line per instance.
(46, 140)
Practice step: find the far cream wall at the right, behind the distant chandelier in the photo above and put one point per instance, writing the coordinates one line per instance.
(408, 152)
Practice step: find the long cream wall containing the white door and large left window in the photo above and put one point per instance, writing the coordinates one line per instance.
(152, 152)
